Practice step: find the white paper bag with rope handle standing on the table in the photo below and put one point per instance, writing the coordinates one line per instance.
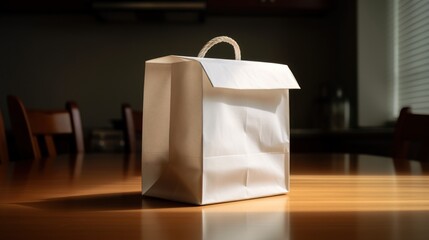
(215, 130)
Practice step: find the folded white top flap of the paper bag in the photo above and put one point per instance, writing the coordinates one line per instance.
(235, 74)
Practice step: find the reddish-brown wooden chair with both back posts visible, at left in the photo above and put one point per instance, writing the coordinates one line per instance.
(34, 130)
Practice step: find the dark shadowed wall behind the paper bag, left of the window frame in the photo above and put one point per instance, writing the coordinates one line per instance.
(48, 59)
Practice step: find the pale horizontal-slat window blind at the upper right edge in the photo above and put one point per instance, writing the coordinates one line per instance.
(412, 54)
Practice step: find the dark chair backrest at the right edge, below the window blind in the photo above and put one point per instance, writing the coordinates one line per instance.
(411, 129)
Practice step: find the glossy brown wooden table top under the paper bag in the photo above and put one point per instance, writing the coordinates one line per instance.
(333, 196)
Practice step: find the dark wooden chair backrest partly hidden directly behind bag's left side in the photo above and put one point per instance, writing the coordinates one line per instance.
(133, 125)
